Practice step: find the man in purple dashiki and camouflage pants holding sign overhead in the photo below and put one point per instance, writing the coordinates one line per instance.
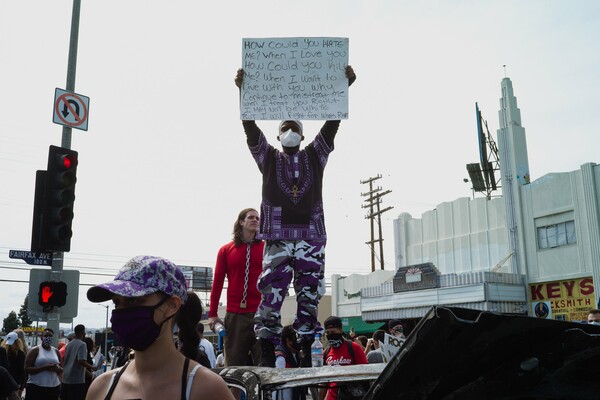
(293, 226)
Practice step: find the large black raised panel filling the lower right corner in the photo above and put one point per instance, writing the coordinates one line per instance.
(456, 353)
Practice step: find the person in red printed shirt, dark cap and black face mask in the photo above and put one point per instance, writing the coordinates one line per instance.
(341, 352)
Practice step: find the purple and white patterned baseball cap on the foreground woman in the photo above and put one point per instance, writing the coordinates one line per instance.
(140, 276)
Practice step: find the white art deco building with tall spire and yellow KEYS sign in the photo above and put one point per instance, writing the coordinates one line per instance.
(534, 250)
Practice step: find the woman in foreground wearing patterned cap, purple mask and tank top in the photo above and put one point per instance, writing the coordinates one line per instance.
(150, 295)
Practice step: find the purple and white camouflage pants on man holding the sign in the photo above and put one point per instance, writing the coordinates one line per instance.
(284, 260)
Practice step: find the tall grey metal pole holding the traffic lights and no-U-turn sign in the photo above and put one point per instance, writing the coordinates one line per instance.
(57, 261)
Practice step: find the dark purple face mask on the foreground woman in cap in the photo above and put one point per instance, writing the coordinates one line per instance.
(135, 326)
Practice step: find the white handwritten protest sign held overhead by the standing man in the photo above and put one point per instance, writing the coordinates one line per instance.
(294, 78)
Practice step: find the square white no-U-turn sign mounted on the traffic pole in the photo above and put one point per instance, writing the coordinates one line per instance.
(71, 109)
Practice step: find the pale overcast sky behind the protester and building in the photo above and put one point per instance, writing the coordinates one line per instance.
(164, 168)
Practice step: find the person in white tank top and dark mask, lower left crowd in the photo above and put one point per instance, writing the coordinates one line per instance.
(43, 366)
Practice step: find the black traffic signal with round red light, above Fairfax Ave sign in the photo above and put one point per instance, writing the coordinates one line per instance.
(54, 229)
